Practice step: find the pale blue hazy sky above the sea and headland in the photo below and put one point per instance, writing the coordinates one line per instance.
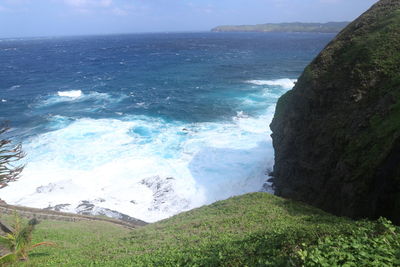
(26, 18)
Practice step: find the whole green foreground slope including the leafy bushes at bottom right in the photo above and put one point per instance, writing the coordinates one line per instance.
(256, 229)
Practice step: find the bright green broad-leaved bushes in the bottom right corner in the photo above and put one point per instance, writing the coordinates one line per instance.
(370, 244)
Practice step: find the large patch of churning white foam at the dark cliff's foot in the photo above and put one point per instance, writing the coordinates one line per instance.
(144, 167)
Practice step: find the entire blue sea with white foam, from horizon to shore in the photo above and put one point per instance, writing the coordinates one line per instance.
(146, 124)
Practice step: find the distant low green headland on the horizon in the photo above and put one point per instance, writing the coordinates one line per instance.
(329, 27)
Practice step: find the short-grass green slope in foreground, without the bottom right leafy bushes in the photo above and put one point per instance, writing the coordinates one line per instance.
(252, 230)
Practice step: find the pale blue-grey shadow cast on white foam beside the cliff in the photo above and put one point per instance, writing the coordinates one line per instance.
(223, 172)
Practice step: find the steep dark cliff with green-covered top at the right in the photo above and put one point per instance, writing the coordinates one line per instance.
(337, 133)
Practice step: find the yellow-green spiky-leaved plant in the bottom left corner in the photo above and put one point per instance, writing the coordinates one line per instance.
(19, 241)
